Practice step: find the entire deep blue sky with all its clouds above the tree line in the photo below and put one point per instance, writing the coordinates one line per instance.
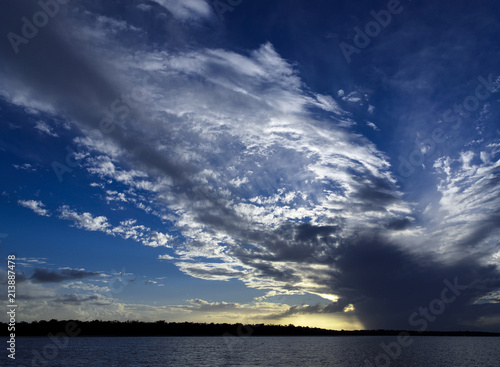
(331, 164)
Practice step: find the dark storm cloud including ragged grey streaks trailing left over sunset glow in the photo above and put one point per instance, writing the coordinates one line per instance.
(390, 287)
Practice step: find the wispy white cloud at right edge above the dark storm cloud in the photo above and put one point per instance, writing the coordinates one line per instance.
(464, 222)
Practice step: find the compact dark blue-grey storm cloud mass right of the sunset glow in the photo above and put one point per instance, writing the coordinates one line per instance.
(387, 285)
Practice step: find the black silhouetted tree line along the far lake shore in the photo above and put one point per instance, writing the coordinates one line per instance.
(162, 328)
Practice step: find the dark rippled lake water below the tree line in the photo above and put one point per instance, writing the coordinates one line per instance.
(256, 351)
